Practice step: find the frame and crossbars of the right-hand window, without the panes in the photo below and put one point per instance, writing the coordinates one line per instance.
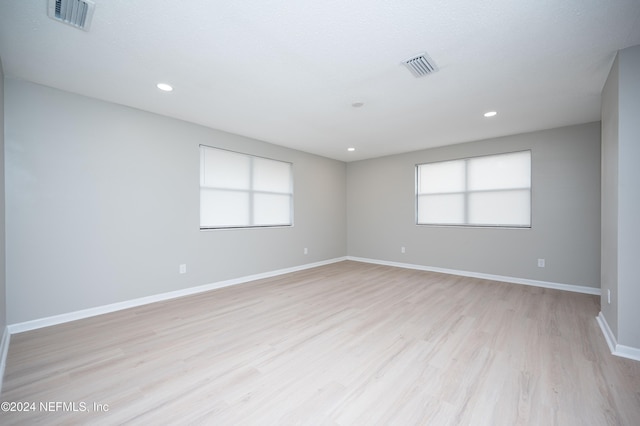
(467, 192)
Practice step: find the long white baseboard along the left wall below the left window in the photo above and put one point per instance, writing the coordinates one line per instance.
(99, 310)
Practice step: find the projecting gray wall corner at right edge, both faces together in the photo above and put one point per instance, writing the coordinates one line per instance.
(621, 197)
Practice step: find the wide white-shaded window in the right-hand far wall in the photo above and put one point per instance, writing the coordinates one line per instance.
(493, 190)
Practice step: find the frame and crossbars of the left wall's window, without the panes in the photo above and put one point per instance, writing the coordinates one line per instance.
(251, 191)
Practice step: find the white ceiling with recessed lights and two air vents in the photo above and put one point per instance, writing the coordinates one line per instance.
(287, 71)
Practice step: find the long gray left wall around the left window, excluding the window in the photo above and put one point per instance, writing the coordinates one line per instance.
(102, 205)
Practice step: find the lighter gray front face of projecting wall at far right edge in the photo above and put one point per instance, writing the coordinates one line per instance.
(629, 197)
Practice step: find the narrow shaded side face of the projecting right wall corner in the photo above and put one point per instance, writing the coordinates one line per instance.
(609, 204)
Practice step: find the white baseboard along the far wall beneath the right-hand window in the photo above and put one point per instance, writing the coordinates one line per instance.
(513, 280)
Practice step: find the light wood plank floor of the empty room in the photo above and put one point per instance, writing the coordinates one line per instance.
(343, 344)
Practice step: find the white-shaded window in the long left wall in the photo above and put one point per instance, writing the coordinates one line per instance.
(239, 190)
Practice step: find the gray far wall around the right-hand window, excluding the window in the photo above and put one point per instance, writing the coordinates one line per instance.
(565, 213)
